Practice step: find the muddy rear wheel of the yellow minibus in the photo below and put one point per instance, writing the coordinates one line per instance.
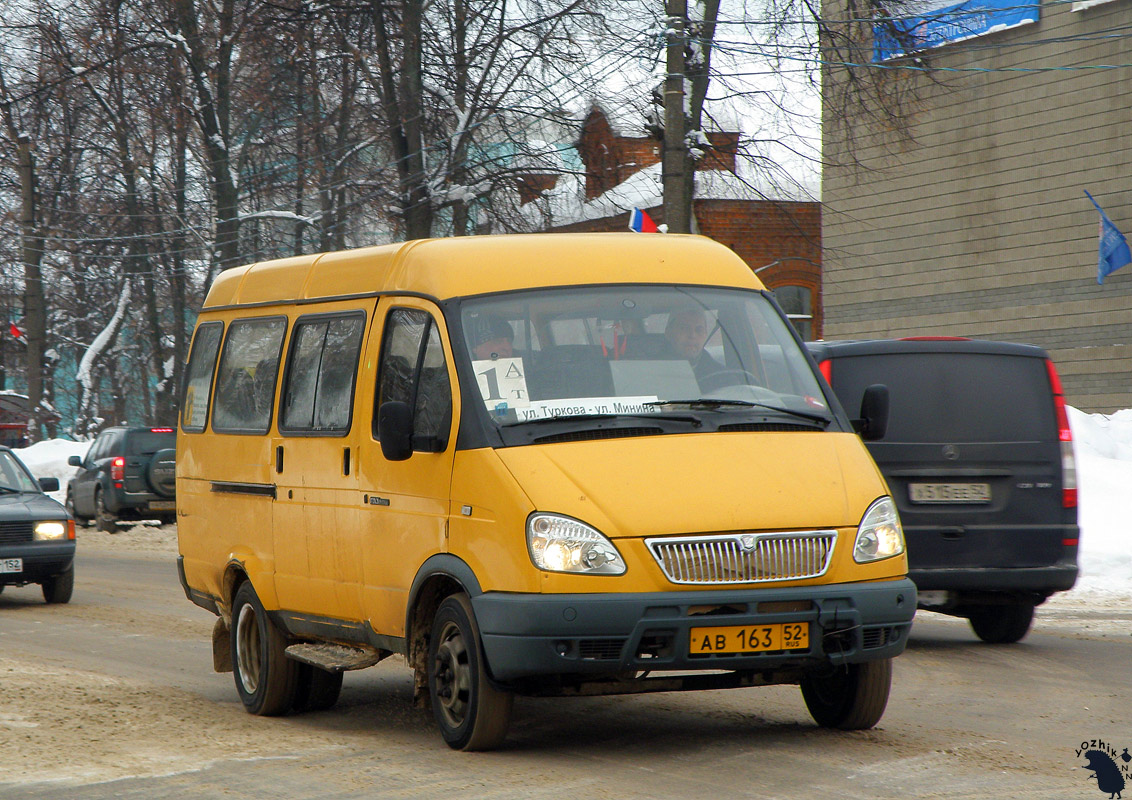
(265, 678)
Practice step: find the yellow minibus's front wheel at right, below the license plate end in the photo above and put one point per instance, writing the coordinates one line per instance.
(851, 698)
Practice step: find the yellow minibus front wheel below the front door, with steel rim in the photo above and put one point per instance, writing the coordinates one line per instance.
(473, 715)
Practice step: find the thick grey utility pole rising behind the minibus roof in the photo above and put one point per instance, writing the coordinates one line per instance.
(676, 165)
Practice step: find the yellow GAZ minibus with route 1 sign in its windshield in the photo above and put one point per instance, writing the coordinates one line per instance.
(546, 464)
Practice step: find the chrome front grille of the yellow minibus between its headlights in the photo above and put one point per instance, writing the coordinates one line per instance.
(744, 558)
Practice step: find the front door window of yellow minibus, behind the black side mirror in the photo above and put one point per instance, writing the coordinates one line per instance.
(414, 372)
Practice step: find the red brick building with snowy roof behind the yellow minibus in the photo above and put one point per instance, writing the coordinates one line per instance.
(781, 239)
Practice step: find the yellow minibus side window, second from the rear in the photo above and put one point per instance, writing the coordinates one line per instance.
(246, 380)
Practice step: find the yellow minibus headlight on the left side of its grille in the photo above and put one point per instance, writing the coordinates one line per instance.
(562, 545)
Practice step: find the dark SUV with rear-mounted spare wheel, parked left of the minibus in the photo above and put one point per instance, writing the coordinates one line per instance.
(128, 475)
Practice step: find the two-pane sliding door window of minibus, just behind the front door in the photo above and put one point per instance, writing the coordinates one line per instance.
(322, 371)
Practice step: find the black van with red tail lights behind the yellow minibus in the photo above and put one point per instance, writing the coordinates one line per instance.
(980, 459)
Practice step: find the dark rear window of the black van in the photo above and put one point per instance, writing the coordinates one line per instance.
(953, 398)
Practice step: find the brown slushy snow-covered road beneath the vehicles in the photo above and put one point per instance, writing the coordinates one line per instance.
(113, 696)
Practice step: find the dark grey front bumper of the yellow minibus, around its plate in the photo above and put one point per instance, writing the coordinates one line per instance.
(528, 635)
